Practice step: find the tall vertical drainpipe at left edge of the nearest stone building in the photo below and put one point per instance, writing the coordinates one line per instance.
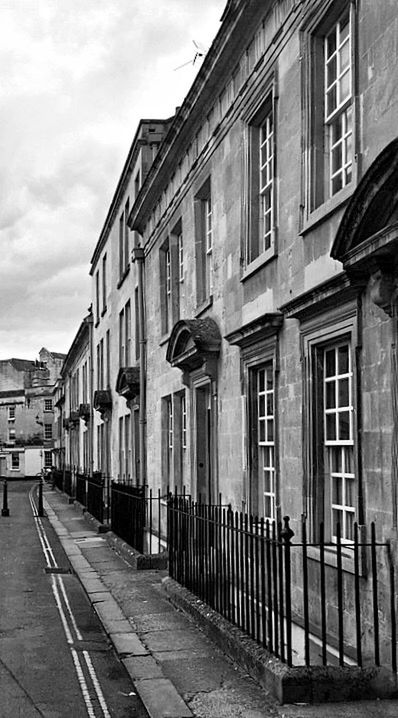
(137, 255)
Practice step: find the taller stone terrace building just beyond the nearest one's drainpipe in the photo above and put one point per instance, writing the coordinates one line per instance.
(116, 308)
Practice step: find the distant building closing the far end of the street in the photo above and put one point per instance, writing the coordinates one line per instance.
(27, 414)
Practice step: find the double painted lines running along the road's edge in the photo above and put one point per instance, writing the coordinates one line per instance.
(61, 600)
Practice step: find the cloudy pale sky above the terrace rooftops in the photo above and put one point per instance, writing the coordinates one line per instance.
(75, 78)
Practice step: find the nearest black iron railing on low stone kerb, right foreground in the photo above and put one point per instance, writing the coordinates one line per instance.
(307, 603)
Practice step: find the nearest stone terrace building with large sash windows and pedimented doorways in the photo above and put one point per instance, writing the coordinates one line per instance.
(269, 231)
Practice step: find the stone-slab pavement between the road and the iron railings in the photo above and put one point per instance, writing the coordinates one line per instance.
(176, 669)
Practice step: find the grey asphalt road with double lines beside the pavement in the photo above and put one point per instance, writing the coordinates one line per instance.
(55, 659)
